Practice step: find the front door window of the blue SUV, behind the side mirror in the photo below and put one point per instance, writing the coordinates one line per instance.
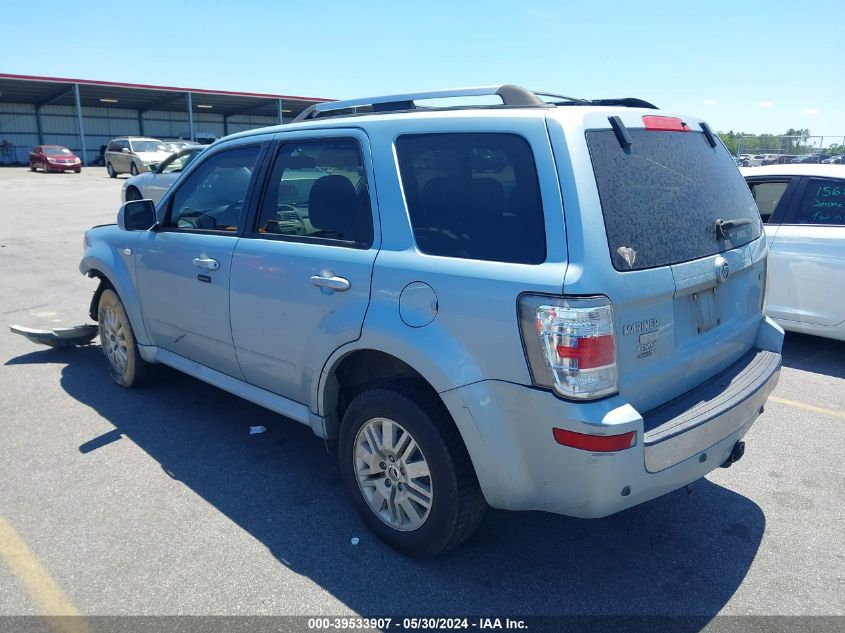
(212, 197)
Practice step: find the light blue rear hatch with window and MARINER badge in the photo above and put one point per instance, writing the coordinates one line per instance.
(666, 227)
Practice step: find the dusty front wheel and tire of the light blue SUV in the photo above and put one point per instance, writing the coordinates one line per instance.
(125, 364)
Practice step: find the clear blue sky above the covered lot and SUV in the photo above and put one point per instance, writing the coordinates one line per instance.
(753, 66)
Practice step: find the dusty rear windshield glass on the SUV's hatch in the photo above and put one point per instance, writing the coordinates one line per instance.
(662, 196)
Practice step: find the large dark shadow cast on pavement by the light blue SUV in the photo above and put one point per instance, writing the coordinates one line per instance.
(678, 555)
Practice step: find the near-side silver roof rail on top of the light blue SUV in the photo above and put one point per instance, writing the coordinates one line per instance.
(511, 95)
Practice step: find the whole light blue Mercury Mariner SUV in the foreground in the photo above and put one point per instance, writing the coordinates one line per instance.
(548, 304)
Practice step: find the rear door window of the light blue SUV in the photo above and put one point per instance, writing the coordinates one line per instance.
(318, 189)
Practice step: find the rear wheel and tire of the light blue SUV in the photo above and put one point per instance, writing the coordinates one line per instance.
(407, 469)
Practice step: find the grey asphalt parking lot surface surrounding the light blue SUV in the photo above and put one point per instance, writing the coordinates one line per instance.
(159, 501)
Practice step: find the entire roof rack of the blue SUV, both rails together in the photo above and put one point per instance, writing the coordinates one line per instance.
(513, 96)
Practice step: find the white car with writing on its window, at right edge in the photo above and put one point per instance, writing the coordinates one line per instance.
(803, 207)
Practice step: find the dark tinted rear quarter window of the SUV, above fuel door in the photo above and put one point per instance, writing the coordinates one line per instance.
(473, 196)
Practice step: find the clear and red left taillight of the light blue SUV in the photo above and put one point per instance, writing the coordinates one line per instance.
(570, 345)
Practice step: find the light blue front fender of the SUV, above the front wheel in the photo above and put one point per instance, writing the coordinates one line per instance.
(106, 256)
